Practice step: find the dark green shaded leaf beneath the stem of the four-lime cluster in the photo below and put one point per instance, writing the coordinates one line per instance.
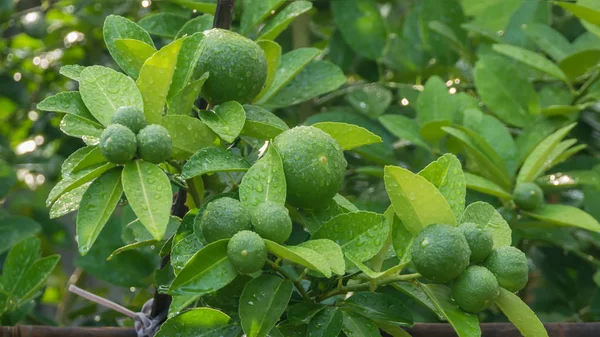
(379, 307)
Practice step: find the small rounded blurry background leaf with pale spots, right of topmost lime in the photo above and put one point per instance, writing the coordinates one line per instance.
(371, 100)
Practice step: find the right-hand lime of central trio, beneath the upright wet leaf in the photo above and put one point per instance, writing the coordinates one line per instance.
(272, 221)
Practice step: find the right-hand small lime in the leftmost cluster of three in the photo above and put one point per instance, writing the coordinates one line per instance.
(154, 143)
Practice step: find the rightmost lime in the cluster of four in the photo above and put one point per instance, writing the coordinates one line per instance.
(510, 267)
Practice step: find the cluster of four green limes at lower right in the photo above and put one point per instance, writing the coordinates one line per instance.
(465, 256)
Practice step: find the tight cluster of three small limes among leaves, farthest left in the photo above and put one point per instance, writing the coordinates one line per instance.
(129, 135)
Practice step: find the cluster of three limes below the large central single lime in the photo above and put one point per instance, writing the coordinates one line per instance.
(227, 218)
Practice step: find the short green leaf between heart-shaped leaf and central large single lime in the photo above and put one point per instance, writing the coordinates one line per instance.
(261, 123)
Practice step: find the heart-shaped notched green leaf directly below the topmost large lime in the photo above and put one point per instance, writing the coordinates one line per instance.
(227, 120)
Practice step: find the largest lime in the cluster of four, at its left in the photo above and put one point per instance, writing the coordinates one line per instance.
(440, 253)
